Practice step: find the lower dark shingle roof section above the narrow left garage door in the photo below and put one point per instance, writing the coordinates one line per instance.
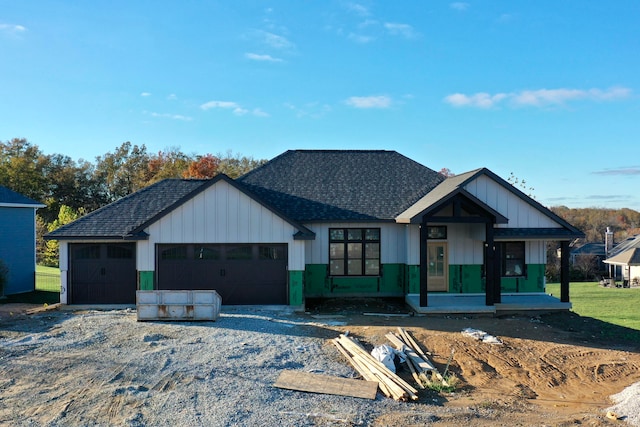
(124, 218)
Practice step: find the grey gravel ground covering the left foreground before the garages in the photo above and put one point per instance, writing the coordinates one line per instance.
(105, 368)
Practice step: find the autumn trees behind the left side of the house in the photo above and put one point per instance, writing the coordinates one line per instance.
(71, 188)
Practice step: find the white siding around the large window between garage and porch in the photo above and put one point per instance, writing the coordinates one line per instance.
(393, 247)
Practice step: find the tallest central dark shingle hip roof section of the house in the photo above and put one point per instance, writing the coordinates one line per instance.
(326, 185)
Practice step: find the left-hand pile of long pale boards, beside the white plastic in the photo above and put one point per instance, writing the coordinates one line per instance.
(390, 384)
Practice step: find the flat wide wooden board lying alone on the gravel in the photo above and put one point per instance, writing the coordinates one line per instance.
(315, 383)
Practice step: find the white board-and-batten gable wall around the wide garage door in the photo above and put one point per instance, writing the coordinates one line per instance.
(220, 214)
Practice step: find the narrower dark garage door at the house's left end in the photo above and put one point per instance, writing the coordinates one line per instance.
(103, 273)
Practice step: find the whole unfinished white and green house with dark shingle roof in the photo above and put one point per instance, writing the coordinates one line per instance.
(317, 223)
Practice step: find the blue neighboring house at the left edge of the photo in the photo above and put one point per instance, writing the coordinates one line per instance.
(18, 240)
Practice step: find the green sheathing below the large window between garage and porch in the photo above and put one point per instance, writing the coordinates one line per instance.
(392, 282)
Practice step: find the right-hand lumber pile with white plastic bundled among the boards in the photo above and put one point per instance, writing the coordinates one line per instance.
(422, 370)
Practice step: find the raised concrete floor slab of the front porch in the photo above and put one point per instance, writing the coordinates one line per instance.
(445, 303)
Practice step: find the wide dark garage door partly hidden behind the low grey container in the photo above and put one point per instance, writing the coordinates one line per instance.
(240, 273)
